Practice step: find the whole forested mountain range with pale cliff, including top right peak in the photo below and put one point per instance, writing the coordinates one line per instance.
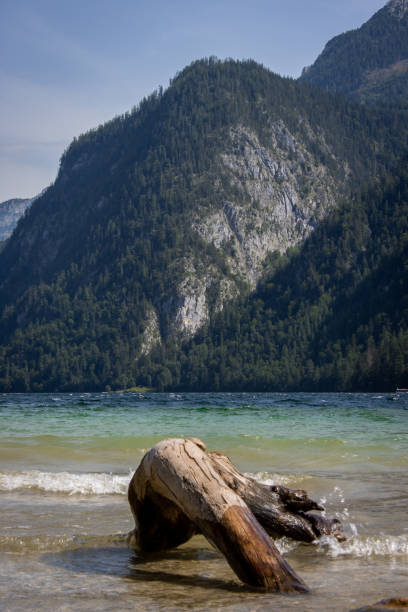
(238, 230)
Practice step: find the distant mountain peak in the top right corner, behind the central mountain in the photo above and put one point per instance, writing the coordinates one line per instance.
(369, 64)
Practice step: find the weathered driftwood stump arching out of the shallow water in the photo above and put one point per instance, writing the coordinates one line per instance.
(179, 490)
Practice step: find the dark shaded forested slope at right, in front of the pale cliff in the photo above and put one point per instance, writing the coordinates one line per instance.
(333, 316)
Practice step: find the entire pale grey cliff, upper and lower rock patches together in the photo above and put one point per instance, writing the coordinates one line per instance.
(283, 193)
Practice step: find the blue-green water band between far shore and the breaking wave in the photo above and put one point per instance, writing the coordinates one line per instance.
(359, 429)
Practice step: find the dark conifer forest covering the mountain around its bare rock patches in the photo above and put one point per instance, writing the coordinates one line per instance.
(103, 246)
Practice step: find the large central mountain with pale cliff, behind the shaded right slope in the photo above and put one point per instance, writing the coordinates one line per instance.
(163, 217)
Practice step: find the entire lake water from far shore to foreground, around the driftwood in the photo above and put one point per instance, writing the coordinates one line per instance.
(66, 460)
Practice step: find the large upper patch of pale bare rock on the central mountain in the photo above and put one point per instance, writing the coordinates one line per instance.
(284, 190)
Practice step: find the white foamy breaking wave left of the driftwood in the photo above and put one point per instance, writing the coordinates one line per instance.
(65, 482)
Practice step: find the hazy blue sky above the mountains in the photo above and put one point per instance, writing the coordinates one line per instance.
(68, 65)
